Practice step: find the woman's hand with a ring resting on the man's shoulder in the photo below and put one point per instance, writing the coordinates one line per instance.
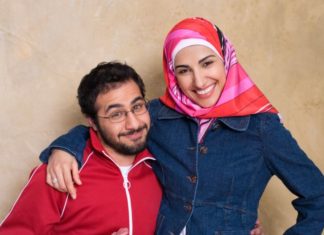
(62, 172)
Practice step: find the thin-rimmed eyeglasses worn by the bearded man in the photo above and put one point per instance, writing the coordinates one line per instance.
(120, 115)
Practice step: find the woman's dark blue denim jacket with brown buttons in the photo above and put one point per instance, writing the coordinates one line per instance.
(214, 187)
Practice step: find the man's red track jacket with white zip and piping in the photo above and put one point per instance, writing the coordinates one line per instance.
(106, 200)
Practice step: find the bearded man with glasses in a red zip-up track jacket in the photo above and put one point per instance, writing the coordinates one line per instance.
(119, 188)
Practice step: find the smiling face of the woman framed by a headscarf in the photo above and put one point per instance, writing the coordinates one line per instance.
(200, 74)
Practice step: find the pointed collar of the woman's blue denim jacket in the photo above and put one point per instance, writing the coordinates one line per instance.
(235, 123)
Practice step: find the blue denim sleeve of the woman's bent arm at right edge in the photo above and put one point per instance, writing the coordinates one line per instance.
(286, 160)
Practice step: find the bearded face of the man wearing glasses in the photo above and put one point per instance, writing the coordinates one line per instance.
(127, 137)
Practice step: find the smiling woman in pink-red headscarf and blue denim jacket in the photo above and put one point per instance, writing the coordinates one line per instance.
(218, 142)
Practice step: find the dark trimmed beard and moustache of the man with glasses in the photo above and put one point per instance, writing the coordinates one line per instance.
(123, 148)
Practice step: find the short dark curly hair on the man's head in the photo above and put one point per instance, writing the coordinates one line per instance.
(106, 76)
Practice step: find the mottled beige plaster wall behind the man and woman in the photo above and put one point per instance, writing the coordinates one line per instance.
(46, 46)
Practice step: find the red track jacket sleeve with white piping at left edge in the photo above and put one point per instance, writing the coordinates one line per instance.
(37, 209)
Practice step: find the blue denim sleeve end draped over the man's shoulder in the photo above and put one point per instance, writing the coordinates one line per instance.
(72, 142)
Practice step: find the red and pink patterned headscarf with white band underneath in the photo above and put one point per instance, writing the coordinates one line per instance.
(239, 97)
